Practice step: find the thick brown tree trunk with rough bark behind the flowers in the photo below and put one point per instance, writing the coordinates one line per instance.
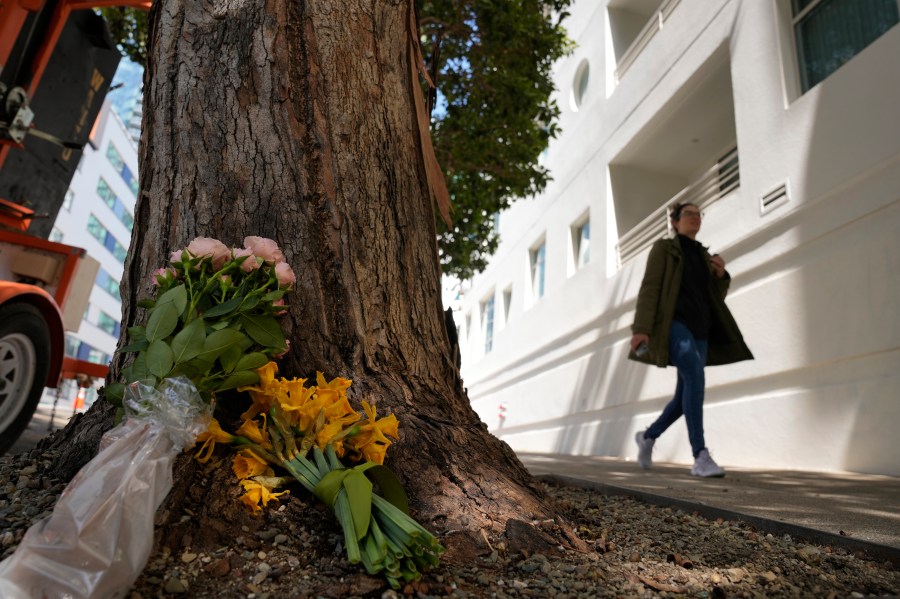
(297, 121)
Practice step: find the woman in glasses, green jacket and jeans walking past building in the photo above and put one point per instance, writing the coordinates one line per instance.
(681, 319)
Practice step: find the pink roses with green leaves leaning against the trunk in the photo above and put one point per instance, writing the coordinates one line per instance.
(213, 319)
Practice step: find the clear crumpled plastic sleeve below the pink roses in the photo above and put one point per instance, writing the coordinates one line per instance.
(99, 536)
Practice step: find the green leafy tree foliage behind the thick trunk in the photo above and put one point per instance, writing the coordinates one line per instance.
(493, 112)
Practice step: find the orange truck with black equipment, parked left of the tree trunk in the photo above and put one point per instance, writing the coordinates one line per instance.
(56, 64)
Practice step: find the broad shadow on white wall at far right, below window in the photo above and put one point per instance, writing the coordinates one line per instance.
(850, 290)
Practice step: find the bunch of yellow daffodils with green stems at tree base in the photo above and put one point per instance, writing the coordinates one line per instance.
(306, 431)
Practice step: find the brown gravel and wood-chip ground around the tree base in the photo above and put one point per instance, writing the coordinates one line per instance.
(639, 550)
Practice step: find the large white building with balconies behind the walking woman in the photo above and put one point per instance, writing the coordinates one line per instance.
(778, 117)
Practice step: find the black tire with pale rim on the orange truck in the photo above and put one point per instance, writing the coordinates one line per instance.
(24, 360)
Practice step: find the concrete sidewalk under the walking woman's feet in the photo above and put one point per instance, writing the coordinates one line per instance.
(859, 512)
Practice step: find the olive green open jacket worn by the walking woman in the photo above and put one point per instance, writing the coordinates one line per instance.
(656, 308)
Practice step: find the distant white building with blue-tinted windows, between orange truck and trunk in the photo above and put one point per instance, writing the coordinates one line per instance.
(98, 215)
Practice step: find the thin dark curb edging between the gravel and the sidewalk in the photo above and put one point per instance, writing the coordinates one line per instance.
(875, 551)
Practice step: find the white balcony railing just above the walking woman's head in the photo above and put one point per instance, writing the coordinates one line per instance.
(715, 183)
